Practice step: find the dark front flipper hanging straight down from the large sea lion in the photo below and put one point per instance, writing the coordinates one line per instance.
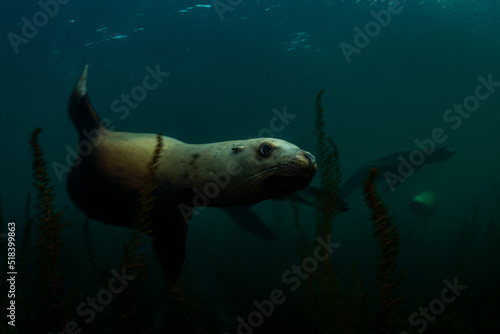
(169, 242)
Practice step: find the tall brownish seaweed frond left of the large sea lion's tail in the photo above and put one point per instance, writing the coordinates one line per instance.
(56, 308)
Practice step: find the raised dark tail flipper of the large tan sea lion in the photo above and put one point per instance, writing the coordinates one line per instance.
(81, 111)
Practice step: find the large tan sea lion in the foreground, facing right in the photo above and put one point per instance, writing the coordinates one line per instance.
(106, 180)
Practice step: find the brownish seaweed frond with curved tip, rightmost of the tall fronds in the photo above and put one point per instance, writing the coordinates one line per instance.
(388, 277)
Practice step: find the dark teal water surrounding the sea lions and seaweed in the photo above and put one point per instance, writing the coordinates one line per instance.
(225, 79)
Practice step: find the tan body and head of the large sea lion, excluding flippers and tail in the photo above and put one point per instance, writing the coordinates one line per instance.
(106, 184)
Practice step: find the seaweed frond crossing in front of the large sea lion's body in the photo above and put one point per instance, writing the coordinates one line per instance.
(130, 312)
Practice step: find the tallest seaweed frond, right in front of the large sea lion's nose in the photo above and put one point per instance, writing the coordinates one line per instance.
(322, 301)
